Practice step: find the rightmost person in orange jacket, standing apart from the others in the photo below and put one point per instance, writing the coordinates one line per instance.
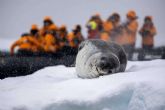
(147, 31)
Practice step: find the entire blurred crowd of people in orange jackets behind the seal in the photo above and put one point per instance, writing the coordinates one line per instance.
(52, 38)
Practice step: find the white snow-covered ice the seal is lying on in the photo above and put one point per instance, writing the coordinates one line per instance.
(141, 87)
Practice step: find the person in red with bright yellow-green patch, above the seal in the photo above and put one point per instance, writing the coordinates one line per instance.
(93, 31)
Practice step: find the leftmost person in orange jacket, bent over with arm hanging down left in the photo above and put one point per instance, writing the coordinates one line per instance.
(27, 45)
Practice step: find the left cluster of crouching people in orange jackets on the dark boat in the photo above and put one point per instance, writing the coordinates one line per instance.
(49, 39)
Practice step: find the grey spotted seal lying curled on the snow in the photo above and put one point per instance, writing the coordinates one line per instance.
(97, 57)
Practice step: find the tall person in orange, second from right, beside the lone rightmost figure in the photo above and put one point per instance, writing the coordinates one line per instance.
(128, 38)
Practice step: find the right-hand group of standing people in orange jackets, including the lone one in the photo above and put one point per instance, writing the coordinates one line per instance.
(122, 33)
